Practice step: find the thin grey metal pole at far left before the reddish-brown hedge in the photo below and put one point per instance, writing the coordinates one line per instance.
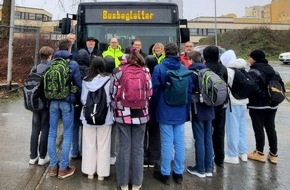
(10, 46)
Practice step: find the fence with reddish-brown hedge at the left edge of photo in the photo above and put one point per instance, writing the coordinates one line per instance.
(26, 42)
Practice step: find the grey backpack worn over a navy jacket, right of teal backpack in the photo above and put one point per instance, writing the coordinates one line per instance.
(212, 88)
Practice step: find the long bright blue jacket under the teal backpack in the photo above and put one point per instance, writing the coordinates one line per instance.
(166, 114)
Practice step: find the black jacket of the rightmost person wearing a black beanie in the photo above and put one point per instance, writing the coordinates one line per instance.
(259, 98)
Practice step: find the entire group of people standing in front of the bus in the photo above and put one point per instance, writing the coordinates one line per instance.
(152, 134)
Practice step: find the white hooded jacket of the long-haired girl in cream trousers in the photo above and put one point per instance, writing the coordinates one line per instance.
(92, 86)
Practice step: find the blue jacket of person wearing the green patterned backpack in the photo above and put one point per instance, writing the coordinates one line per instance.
(75, 75)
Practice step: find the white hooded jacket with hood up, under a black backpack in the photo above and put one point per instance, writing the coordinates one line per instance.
(230, 60)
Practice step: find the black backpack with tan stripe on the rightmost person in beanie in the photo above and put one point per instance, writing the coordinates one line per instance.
(275, 88)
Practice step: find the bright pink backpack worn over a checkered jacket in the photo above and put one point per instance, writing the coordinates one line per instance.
(134, 91)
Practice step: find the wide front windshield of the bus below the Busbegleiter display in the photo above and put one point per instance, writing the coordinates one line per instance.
(126, 34)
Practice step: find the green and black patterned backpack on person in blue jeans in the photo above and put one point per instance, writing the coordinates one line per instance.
(56, 79)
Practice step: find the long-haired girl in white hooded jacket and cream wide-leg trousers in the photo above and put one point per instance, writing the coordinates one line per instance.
(96, 138)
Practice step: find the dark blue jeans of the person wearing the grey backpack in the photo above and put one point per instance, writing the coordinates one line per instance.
(202, 133)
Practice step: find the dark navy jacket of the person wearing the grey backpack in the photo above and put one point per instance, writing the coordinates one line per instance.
(200, 111)
